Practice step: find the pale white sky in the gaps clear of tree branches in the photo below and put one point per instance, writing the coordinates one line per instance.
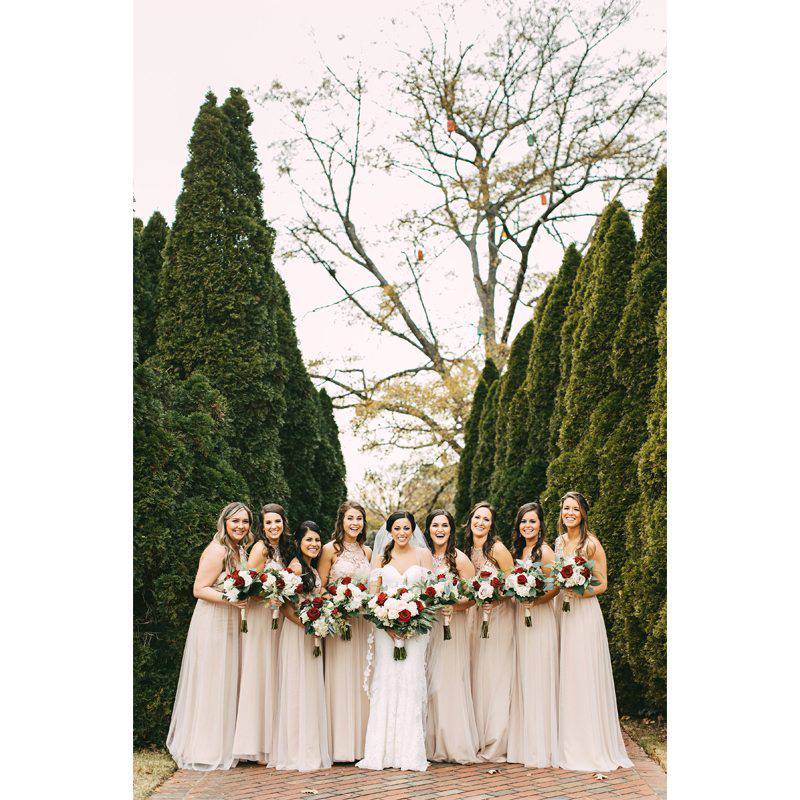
(183, 48)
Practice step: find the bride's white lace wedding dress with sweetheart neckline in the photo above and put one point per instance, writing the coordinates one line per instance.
(398, 695)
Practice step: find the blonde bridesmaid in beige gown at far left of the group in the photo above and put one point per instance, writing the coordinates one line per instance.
(204, 715)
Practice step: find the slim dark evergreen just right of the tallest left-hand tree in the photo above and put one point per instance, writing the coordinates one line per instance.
(300, 433)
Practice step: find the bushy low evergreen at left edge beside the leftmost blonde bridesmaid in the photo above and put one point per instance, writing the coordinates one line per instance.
(182, 478)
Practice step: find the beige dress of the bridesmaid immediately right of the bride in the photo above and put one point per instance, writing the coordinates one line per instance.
(451, 732)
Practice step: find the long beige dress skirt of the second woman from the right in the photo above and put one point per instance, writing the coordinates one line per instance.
(533, 723)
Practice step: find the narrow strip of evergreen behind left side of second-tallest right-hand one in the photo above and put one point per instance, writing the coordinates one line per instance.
(571, 326)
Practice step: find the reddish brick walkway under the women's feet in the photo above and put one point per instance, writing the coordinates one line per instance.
(513, 781)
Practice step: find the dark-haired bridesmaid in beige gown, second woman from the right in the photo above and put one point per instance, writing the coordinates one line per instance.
(533, 724)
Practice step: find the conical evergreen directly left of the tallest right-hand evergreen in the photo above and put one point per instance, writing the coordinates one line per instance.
(592, 392)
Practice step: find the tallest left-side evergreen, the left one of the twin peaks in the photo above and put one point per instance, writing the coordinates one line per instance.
(216, 304)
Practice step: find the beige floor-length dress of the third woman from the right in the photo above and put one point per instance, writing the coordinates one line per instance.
(493, 670)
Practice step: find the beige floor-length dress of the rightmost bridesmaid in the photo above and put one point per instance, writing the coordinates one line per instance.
(589, 736)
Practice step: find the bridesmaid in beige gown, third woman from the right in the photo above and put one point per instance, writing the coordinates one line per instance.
(492, 669)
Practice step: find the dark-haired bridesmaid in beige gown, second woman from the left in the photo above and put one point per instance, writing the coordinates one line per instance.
(258, 692)
